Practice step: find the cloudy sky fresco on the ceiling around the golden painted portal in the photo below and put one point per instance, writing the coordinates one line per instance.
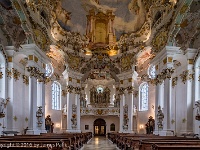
(129, 14)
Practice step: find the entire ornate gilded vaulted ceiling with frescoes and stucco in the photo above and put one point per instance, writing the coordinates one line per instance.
(87, 33)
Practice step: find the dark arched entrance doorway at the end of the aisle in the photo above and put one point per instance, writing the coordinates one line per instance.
(99, 127)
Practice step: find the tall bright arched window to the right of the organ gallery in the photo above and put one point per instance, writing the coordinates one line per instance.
(143, 97)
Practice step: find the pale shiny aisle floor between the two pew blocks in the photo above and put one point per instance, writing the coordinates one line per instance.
(99, 143)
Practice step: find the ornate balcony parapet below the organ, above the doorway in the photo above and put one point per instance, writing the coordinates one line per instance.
(100, 111)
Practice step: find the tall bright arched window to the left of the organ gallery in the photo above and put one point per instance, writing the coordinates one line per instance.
(56, 96)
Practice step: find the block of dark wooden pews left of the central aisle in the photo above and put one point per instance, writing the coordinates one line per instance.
(56, 141)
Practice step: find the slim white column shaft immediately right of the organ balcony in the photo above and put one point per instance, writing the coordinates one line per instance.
(121, 113)
